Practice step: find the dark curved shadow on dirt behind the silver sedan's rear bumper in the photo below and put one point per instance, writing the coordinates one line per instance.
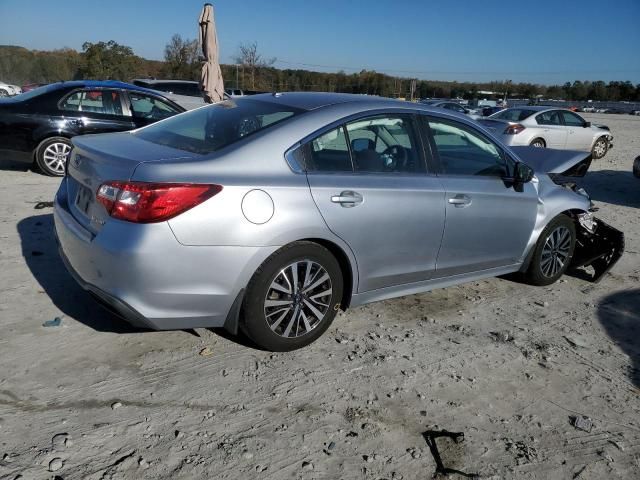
(40, 251)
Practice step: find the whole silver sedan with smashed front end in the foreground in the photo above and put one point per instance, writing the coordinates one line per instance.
(270, 213)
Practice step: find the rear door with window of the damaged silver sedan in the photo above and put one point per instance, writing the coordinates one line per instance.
(369, 181)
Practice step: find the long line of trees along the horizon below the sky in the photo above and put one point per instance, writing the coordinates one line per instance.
(252, 71)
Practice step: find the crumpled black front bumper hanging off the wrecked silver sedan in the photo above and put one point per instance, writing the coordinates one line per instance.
(600, 249)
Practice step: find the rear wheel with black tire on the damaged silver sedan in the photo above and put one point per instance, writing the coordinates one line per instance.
(255, 311)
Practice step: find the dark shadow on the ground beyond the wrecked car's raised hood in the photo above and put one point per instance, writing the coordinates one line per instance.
(612, 186)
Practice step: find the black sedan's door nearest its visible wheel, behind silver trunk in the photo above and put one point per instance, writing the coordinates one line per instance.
(94, 110)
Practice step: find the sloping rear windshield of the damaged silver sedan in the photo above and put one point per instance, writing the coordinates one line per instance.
(211, 128)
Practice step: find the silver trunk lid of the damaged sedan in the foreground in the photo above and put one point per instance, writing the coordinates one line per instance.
(96, 159)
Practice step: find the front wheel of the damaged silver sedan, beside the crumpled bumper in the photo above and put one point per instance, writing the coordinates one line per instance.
(538, 272)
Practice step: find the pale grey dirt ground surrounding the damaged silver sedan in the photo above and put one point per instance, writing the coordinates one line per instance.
(504, 363)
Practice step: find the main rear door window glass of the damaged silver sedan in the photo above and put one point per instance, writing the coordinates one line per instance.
(384, 145)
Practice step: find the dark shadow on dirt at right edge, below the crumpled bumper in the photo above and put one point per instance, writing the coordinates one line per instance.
(619, 314)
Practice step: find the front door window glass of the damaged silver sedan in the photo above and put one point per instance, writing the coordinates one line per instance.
(463, 151)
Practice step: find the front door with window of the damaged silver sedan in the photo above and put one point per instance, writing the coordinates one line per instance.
(488, 223)
